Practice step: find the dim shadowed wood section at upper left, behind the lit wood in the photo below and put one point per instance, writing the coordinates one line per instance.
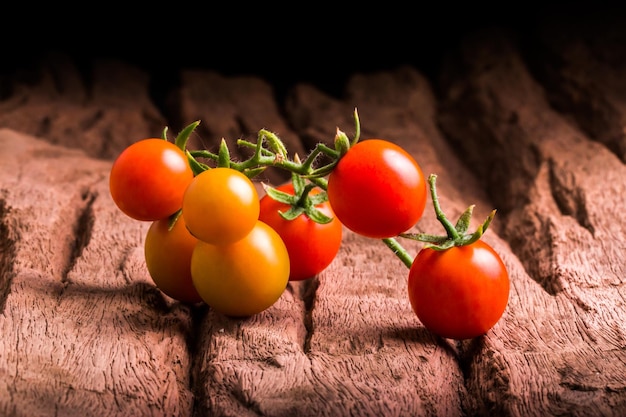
(100, 110)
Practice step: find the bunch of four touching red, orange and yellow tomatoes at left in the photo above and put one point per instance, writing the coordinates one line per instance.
(206, 242)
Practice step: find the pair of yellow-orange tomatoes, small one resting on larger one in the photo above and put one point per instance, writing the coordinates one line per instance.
(240, 265)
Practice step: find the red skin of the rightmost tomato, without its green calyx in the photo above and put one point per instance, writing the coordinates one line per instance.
(461, 292)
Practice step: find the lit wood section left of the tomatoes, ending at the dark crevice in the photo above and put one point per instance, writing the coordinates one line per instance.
(84, 332)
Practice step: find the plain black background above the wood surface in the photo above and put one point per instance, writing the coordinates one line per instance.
(285, 45)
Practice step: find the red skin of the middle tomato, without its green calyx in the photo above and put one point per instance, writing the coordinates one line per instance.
(312, 246)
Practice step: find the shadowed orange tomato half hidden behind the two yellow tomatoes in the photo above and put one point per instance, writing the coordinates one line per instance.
(168, 259)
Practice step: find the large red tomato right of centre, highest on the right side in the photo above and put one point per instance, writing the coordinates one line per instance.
(377, 189)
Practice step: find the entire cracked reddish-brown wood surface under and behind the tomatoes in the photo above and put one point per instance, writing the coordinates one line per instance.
(85, 332)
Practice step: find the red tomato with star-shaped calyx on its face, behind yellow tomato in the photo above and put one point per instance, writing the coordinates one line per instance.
(302, 216)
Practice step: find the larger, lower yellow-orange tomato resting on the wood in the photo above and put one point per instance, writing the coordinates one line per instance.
(245, 277)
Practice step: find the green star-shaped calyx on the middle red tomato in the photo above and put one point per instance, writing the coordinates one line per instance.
(302, 201)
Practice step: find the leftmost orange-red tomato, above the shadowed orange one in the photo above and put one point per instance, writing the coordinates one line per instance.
(148, 179)
